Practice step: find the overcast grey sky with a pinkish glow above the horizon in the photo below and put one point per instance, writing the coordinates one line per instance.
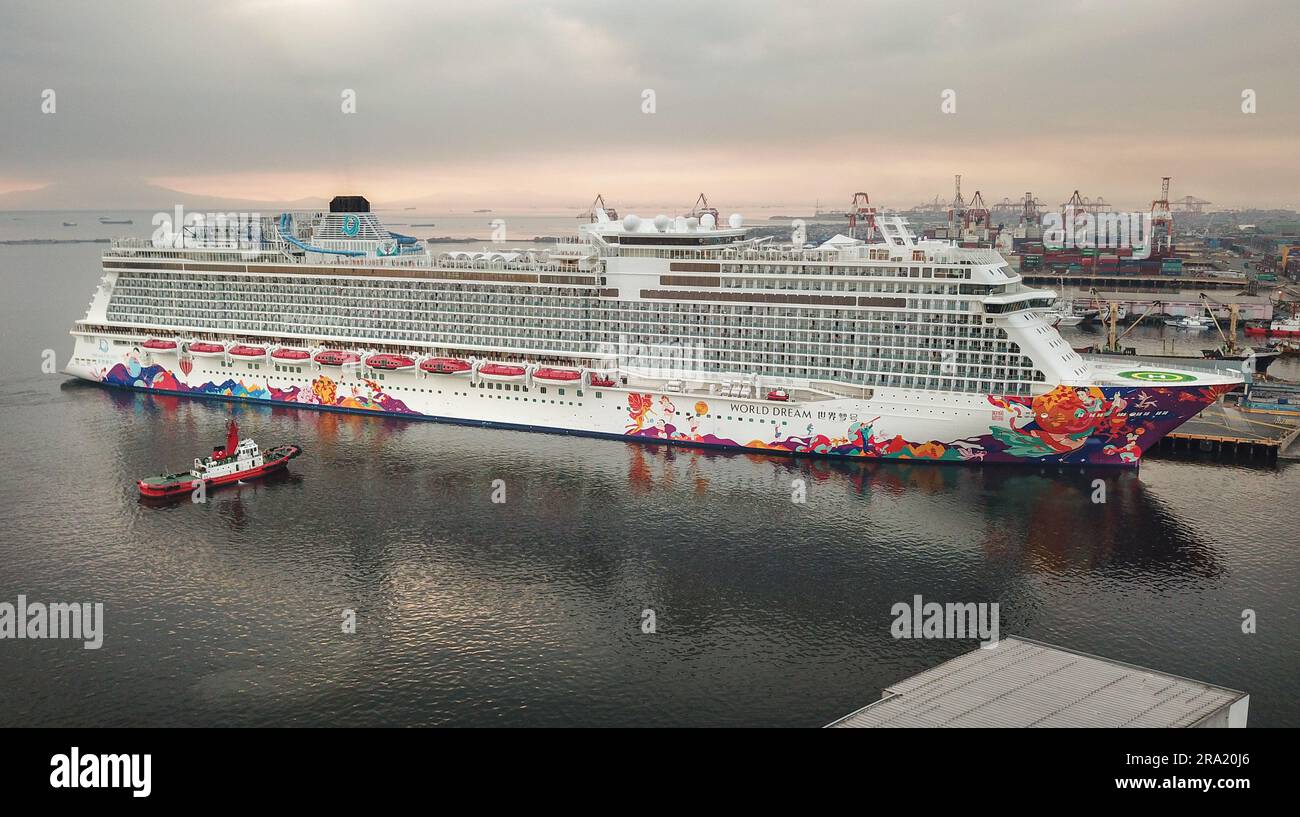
(540, 105)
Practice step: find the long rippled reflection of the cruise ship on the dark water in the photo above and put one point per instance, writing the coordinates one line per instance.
(1047, 521)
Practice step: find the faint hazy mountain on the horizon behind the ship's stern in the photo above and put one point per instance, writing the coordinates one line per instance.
(136, 196)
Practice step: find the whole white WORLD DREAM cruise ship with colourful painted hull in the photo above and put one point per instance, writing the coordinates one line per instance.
(668, 330)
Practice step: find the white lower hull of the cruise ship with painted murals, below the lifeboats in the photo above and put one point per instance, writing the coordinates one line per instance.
(1112, 425)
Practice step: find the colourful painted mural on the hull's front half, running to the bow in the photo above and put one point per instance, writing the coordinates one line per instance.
(1085, 425)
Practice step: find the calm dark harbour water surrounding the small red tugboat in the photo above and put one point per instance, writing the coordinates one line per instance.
(473, 613)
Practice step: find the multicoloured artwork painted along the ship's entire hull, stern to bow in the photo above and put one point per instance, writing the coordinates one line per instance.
(1108, 426)
